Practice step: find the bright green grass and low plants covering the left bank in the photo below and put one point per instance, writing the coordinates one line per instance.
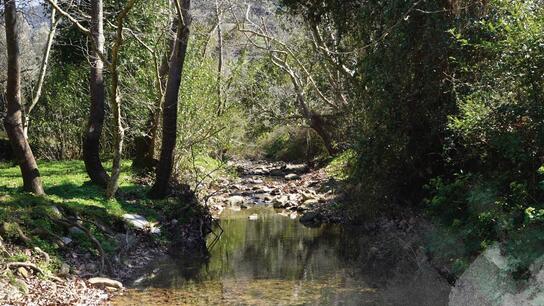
(31, 221)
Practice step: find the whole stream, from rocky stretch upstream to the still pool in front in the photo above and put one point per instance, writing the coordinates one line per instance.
(265, 256)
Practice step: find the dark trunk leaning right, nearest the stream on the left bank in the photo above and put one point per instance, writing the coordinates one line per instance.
(170, 112)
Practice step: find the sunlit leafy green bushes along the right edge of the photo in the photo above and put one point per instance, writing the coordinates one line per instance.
(496, 138)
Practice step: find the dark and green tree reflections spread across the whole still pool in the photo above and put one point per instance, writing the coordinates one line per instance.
(327, 260)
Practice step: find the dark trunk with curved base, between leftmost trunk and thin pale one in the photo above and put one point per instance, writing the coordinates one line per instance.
(91, 142)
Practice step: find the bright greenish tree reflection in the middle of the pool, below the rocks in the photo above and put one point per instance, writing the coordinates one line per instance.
(274, 247)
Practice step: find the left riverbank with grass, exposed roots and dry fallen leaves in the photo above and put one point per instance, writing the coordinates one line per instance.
(75, 247)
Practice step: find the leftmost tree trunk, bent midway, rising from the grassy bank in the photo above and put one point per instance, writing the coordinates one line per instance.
(13, 122)
